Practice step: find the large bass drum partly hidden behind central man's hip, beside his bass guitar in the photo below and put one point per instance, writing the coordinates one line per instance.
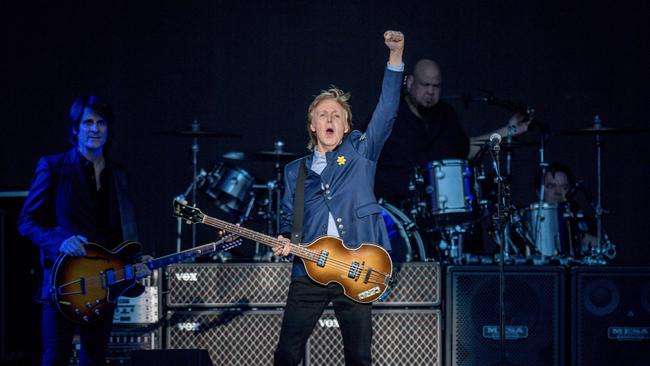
(403, 234)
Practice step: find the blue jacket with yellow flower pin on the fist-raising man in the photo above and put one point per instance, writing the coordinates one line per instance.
(345, 186)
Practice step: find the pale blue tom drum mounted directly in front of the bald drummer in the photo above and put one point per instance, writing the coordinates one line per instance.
(448, 191)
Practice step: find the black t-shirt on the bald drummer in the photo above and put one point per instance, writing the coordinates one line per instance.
(414, 142)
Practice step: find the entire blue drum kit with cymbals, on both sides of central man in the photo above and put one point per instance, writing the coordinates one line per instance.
(452, 199)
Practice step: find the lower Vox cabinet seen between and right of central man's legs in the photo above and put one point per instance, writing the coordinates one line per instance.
(399, 337)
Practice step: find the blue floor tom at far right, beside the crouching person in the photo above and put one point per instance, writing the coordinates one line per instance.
(550, 231)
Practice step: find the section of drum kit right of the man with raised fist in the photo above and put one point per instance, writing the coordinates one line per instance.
(453, 200)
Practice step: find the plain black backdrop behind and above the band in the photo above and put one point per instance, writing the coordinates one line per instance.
(253, 67)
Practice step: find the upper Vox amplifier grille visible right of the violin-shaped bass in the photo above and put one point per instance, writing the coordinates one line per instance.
(413, 284)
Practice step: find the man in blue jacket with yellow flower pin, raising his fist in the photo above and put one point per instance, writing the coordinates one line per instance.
(338, 201)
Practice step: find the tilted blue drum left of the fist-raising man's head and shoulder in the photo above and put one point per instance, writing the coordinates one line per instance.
(230, 187)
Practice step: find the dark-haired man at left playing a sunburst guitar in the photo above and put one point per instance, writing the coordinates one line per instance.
(76, 197)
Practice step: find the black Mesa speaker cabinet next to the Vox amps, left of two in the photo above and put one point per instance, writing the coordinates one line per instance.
(534, 316)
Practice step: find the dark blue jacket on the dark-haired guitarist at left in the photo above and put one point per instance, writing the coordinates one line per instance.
(58, 207)
